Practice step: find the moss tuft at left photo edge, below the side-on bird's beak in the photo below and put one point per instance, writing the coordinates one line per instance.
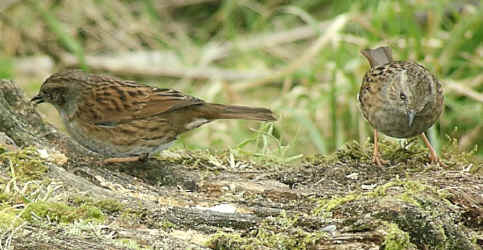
(24, 164)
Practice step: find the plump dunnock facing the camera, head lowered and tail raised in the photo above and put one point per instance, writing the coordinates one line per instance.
(400, 99)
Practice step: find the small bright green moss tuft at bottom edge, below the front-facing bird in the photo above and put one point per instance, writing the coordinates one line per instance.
(396, 239)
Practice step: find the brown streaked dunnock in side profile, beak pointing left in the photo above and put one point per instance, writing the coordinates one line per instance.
(127, 120)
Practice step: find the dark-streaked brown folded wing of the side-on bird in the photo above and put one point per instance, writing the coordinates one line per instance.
(125, 101)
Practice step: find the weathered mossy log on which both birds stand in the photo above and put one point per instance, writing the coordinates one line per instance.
(197, 200)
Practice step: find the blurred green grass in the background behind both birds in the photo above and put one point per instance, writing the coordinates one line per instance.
(316, 103)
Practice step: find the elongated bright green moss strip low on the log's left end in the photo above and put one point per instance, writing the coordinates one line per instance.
(62, 213)
